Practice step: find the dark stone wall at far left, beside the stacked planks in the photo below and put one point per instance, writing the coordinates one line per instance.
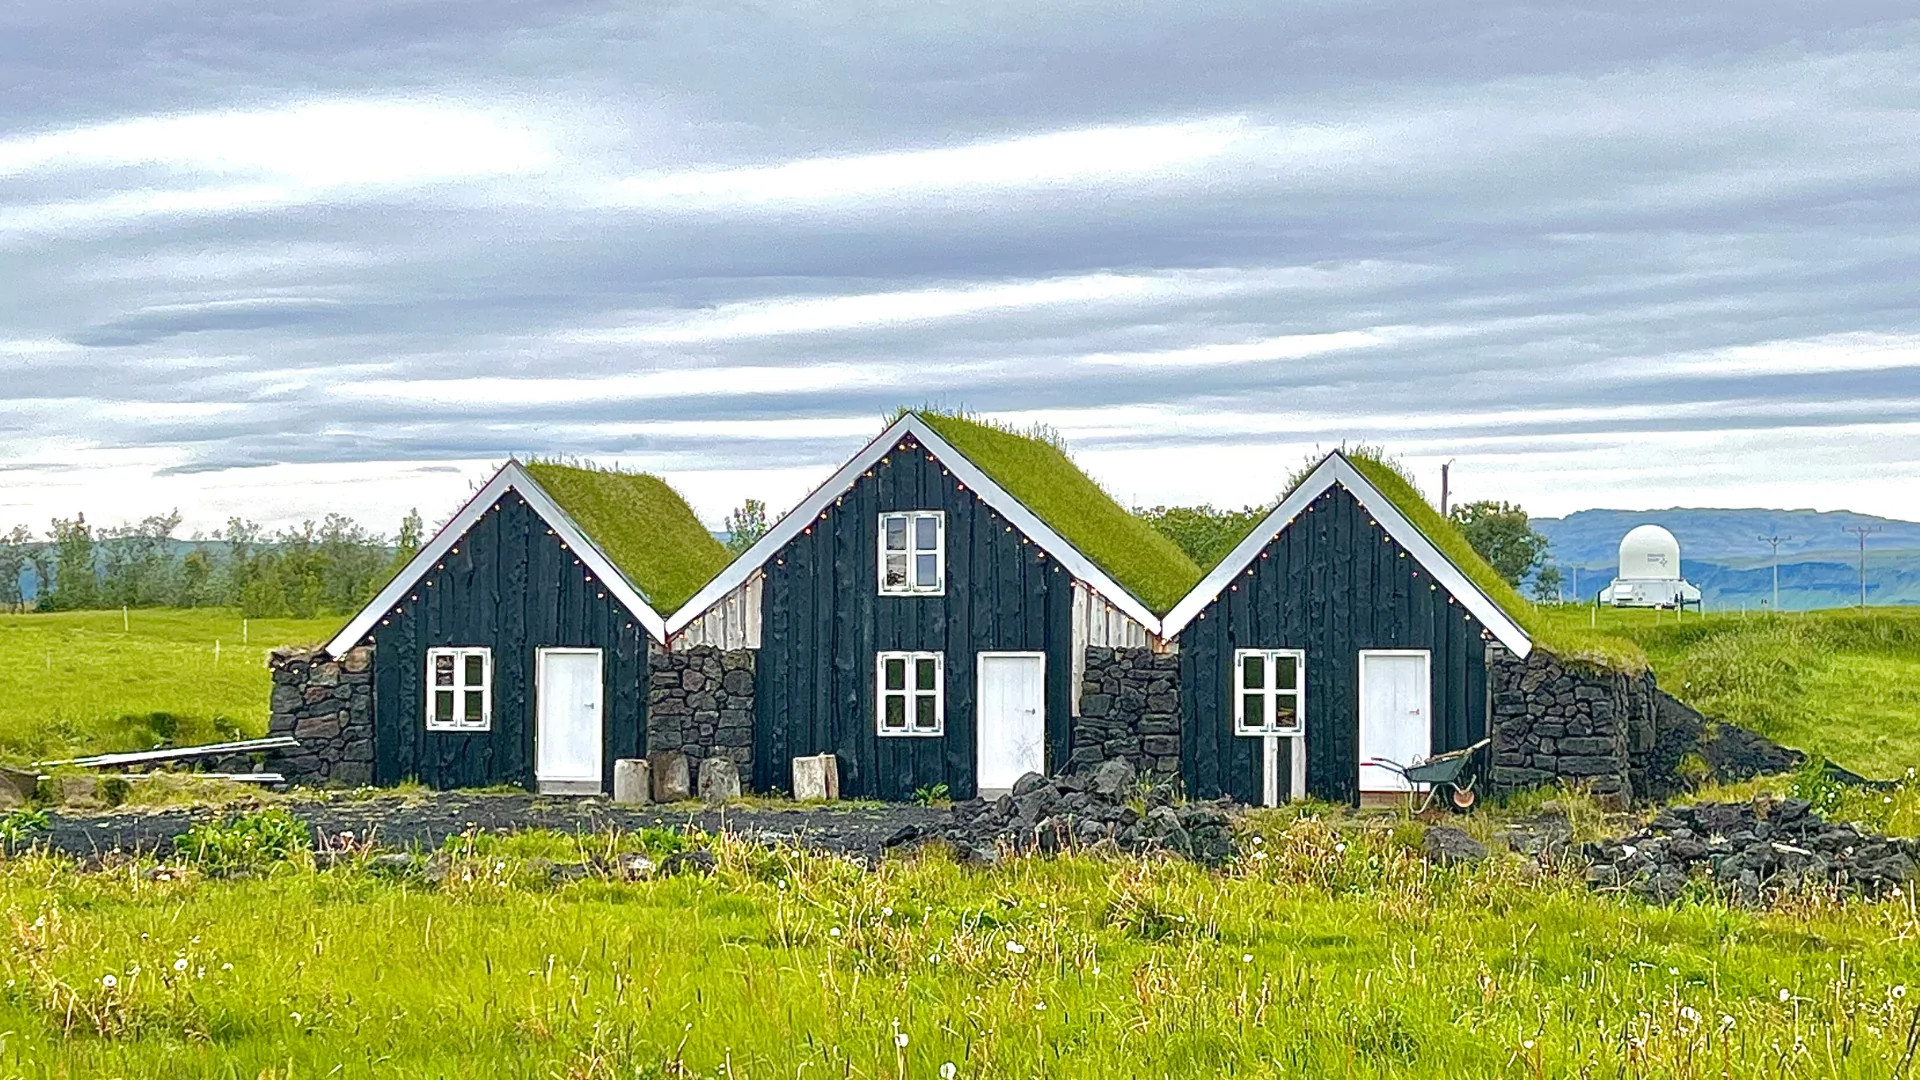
(327, 704)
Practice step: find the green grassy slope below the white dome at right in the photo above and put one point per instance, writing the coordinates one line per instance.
(1842, 683)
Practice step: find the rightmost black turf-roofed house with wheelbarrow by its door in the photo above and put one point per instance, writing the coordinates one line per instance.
(1353, 624)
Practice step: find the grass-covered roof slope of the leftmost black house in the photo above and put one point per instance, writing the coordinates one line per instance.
(642, 524)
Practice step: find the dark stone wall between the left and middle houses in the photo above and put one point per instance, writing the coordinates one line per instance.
(702, 704)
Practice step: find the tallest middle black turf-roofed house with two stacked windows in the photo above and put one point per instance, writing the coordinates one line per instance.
(926, 612)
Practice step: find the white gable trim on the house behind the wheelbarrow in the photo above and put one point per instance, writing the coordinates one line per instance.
(1337, 470)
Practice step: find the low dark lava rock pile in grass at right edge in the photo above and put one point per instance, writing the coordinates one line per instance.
(1750, 852)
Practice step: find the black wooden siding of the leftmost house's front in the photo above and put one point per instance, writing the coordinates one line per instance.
(514, 587)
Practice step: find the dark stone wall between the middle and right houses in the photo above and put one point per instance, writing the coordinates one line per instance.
(1130, 712)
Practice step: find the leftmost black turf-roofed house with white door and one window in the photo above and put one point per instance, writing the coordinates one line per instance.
(516, 647)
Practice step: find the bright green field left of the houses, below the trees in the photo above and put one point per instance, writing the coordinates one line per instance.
(87, 683)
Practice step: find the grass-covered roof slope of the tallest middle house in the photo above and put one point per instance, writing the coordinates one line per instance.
(1040, 474)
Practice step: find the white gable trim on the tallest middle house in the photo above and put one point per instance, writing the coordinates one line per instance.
(994, 495)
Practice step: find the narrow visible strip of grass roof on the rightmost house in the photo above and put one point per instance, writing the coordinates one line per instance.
(1562, 641)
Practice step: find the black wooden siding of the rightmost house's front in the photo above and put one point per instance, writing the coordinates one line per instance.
(1332, 583)
